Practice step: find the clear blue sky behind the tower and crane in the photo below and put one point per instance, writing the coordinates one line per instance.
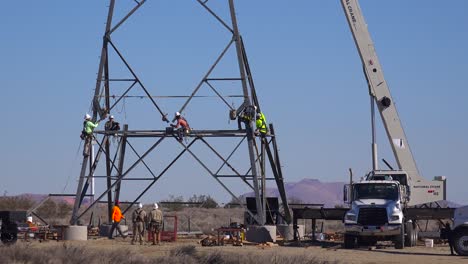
(305, 66)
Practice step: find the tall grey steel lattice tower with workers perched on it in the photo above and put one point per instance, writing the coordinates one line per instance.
(263, 154)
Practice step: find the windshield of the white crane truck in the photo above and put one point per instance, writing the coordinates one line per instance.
(386, 191)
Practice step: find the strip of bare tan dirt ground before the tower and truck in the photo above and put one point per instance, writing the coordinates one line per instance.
(334, 253)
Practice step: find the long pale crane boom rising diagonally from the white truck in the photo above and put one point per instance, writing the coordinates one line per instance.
(422, 191)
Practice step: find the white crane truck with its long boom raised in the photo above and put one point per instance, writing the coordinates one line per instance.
(379, 203)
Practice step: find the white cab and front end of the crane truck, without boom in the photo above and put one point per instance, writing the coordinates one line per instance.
(377, 210)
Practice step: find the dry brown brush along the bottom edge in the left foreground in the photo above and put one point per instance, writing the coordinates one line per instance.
(74, 254)
